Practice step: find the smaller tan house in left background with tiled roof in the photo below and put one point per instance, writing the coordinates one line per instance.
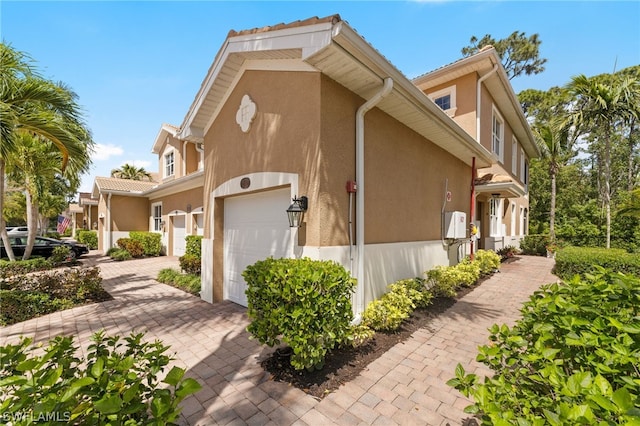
(170, 204)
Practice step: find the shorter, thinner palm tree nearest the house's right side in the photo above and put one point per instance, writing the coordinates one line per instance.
(555, 140)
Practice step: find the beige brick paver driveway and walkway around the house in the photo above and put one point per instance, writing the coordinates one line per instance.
(405, 386)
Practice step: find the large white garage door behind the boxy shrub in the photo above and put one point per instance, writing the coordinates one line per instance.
(255, 227)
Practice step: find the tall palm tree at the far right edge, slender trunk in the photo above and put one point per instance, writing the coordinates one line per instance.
(599, 106)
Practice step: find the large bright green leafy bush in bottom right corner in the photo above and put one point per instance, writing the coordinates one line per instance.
(571, 359)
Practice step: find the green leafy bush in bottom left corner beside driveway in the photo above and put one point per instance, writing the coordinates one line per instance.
(118, 383)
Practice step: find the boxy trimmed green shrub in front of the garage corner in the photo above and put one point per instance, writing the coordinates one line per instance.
(303, 302)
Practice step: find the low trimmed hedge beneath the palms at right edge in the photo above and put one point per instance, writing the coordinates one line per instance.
(572, 261)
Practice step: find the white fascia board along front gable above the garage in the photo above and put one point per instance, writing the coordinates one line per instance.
(309, 39)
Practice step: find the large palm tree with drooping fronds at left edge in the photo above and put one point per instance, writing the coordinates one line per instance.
(32, 105)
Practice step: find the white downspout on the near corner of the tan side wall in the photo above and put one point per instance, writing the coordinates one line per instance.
(364, 108)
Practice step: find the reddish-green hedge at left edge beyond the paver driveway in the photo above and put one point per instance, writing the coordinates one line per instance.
(27, 296)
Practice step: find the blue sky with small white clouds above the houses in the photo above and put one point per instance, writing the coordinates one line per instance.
(136, 65)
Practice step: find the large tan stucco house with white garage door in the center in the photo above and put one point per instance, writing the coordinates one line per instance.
(309, 109)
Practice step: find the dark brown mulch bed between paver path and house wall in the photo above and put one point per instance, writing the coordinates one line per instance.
(344, 364)
